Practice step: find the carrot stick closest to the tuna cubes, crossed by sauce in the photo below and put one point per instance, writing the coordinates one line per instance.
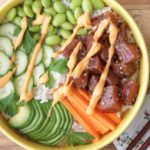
(111, 116)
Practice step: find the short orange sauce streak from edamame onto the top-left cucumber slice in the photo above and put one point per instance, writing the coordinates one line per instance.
(19, 39)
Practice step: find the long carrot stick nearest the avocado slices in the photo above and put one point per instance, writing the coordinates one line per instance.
(87, 126)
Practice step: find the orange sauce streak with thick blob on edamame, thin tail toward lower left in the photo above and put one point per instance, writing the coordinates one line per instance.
(83, 21)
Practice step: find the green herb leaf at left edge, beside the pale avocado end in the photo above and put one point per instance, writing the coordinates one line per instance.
(8, 105)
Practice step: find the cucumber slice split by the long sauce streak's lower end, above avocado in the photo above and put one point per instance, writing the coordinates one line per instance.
(18, 83)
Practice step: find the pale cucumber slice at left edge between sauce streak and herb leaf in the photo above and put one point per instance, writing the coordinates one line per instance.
(7, 90)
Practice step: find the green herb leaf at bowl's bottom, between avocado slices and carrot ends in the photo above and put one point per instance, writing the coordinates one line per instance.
(78, 138)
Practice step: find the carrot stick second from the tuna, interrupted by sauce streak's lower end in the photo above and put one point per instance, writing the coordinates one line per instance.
(99, 116)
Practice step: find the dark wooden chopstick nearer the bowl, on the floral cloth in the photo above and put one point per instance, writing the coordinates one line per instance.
(139, 136)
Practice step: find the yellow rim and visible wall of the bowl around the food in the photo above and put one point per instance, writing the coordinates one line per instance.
(144, 80)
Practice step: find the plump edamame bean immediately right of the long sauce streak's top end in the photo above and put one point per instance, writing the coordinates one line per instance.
(58, 19)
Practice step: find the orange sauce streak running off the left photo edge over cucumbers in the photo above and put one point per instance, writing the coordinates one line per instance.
(6, 78)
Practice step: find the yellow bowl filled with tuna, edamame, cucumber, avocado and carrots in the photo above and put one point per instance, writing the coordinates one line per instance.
(73, 74)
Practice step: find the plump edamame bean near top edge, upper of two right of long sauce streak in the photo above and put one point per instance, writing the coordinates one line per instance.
(59, 7)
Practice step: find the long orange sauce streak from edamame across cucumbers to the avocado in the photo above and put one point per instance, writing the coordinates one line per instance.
(25, 95)
